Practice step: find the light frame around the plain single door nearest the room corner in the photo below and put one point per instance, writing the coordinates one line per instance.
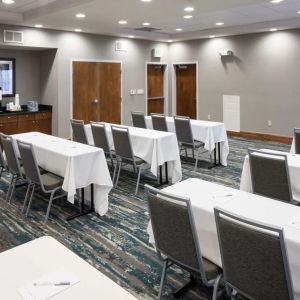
(174, 94)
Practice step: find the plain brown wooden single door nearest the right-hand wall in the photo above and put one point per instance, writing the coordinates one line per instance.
(186, 91)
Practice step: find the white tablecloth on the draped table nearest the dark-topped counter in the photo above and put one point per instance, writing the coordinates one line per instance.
(80, 165)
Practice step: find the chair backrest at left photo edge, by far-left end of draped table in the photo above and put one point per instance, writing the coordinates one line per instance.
(11, 156)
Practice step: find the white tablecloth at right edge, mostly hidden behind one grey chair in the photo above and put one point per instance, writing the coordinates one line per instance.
(294, 170)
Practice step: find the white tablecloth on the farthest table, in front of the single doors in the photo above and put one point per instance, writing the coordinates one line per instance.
(207, 132)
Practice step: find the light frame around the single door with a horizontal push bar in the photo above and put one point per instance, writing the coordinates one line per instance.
(166, 85)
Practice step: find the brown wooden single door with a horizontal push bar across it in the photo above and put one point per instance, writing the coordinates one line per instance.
(155, 93)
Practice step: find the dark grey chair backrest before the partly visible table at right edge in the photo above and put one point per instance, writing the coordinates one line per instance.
(270, 175)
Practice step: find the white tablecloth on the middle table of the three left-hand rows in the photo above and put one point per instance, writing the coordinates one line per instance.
(155, 147)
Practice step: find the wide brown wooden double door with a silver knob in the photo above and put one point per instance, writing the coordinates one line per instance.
(97, 92)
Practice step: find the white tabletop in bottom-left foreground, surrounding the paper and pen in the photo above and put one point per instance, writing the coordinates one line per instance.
(28, 262)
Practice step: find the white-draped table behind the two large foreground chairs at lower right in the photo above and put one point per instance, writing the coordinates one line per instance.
(205, 196)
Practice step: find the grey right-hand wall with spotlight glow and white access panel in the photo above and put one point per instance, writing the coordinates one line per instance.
(264, 72)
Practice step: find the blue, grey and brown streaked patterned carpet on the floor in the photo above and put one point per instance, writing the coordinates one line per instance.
(117, 244)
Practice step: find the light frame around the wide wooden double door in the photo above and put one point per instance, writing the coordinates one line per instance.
(94, 60)
